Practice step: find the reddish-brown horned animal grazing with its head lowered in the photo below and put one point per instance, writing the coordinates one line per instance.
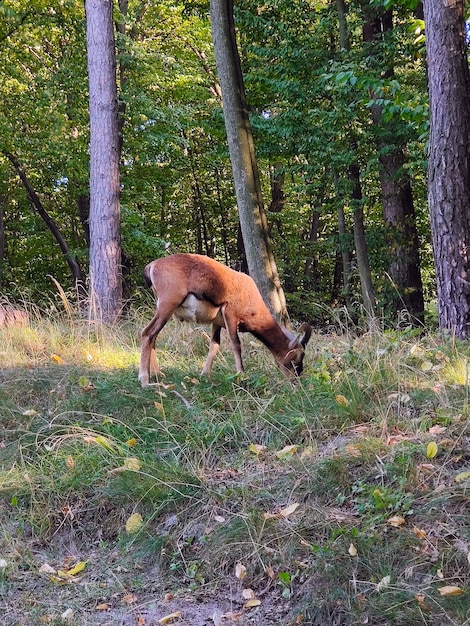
(195, 288)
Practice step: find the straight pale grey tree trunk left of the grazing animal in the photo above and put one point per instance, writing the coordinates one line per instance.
(105, 238)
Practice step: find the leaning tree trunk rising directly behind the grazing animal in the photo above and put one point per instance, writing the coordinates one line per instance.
(253, 221)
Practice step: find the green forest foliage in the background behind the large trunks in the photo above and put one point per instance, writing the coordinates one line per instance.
(307, 94)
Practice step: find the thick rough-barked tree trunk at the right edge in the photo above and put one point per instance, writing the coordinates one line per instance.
(449, 160)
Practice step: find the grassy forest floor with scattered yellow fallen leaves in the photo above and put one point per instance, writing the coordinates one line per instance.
(324, 500)
